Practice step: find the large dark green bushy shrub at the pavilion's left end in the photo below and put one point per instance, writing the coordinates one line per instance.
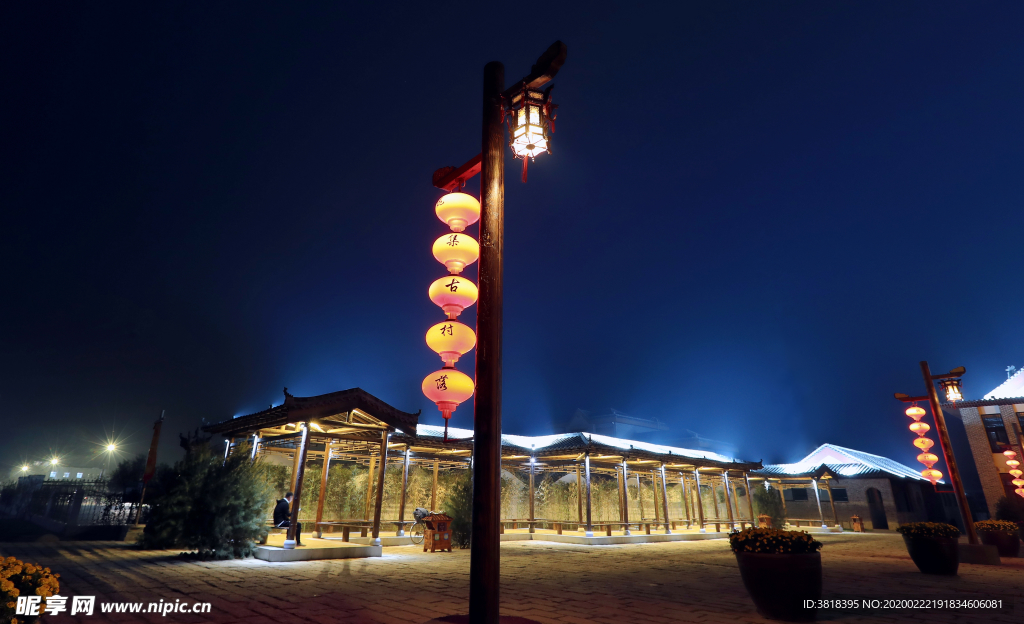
(215, 507)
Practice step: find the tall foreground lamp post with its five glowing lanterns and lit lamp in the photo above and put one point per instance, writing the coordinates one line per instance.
(529, 113)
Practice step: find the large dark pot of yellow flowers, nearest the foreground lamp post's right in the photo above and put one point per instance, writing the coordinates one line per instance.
(781, 570)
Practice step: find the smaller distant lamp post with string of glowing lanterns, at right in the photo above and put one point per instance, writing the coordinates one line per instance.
(951, 383)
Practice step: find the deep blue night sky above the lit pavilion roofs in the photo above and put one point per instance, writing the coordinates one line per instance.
(757, 219)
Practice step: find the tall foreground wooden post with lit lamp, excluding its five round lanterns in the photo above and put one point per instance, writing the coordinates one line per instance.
(529, 113)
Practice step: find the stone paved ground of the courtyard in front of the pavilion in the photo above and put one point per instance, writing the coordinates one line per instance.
(548, 583)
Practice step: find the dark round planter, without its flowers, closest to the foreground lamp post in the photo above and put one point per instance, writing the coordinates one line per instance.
(779, 585)
